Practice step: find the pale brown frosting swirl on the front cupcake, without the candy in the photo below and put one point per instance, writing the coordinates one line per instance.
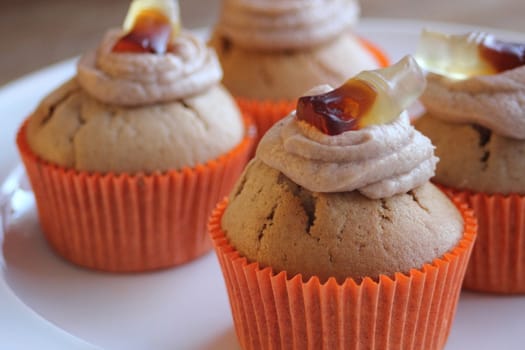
(379, 161)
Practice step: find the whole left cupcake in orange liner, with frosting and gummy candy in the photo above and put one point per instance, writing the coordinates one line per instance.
(129, 157)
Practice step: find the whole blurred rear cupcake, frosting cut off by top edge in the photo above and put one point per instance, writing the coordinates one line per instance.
(273, 51)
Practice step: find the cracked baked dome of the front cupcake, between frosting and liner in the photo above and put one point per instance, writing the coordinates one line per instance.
(338, 235)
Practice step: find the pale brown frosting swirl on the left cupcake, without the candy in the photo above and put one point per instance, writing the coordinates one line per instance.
(131, 79)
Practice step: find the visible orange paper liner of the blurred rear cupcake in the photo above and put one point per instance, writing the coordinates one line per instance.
(266, 112)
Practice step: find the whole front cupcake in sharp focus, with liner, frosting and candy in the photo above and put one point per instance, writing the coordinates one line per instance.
(333, 237)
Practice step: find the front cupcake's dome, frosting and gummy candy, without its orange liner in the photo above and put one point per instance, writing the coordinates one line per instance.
(340, 187)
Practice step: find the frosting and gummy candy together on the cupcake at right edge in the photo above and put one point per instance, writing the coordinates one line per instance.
(475, 78)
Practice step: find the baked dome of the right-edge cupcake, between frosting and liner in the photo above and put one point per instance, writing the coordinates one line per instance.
(488, 162)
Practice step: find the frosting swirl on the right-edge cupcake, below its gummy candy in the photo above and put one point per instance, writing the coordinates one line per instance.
(496, 102)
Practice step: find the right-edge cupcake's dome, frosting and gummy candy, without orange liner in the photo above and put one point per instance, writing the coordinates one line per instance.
(475, 100)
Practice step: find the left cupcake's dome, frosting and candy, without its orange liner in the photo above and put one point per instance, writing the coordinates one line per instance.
(147, 99)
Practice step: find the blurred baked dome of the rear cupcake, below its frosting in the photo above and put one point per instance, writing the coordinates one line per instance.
(285, 75)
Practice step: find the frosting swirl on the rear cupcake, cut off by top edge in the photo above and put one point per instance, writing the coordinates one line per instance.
(286, 24)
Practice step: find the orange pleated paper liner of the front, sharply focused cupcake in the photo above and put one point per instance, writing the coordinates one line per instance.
(409, 311)
